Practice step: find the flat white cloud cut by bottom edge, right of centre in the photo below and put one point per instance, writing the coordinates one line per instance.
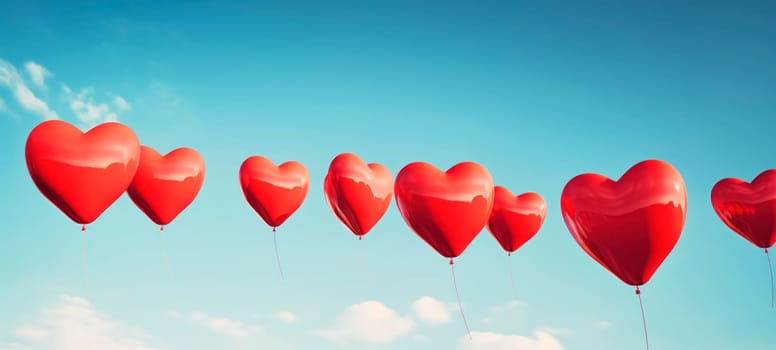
(541, 340)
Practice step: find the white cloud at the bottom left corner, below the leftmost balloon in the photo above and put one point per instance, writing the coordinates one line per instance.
(74, 324)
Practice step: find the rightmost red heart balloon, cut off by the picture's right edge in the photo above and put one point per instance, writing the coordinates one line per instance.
(748, 209)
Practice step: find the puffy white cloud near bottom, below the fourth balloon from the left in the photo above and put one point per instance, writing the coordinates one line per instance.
(367, 322)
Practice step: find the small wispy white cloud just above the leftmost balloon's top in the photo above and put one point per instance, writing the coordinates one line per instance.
(87, 110)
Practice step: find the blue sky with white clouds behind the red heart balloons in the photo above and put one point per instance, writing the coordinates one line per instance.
(536, 93)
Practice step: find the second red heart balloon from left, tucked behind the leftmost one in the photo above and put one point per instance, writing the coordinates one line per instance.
(165, 185)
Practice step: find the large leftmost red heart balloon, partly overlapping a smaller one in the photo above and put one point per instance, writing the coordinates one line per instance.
(82, 173)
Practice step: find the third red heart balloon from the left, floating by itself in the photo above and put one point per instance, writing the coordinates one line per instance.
(274, 192)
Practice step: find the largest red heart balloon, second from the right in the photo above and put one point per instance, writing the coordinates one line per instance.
(631, 225)
